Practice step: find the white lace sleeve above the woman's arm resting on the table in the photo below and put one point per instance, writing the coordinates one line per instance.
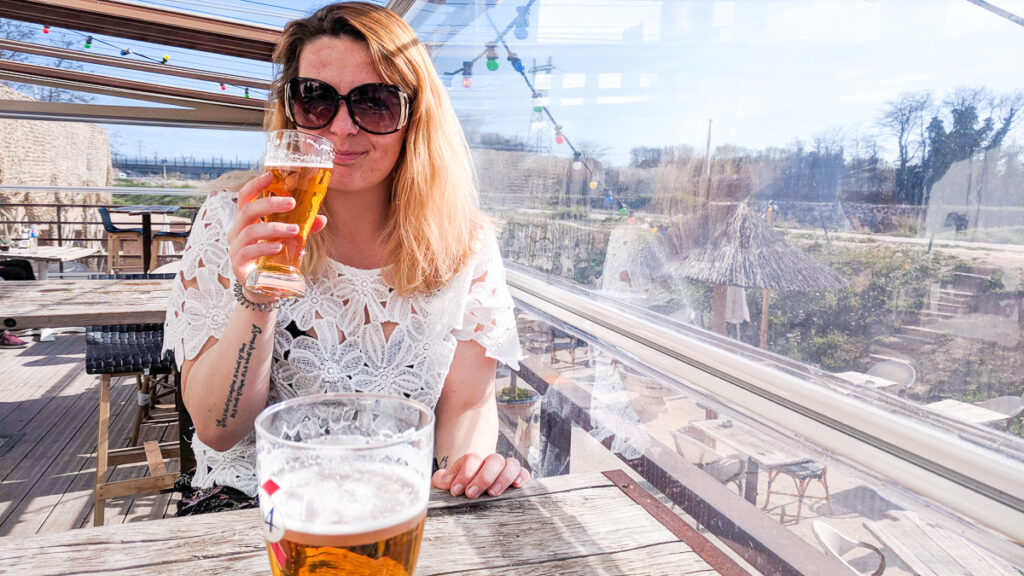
(489, 317)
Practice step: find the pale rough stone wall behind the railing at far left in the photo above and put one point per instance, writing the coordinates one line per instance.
(42, 153)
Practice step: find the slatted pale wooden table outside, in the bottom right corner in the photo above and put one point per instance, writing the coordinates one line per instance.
(930, 550)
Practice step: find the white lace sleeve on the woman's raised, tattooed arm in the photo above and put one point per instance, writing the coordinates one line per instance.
(201, 299)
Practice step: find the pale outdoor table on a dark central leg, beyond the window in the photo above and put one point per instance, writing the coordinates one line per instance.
(760, 450)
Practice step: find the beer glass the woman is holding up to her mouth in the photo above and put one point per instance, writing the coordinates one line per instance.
(301, 166)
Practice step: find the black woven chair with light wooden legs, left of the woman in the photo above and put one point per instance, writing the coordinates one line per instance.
(134, 350)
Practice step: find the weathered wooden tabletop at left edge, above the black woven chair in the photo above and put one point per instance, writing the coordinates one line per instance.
(59, 304)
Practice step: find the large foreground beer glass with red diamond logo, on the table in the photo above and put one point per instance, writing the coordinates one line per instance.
(344, 483)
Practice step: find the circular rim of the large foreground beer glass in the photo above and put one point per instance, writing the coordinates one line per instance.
(269, 413)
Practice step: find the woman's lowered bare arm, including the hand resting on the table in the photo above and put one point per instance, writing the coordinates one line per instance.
(466, 430)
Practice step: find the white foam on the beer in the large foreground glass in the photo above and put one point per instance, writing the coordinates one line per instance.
(362, 499)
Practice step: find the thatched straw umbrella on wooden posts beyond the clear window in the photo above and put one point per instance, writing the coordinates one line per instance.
(746, 252)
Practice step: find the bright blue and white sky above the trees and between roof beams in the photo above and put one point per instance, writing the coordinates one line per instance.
(630, 73)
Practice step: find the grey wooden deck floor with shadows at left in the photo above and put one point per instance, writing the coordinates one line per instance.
(49, 410)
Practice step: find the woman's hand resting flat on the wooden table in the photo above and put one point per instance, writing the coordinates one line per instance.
(474, 475)
